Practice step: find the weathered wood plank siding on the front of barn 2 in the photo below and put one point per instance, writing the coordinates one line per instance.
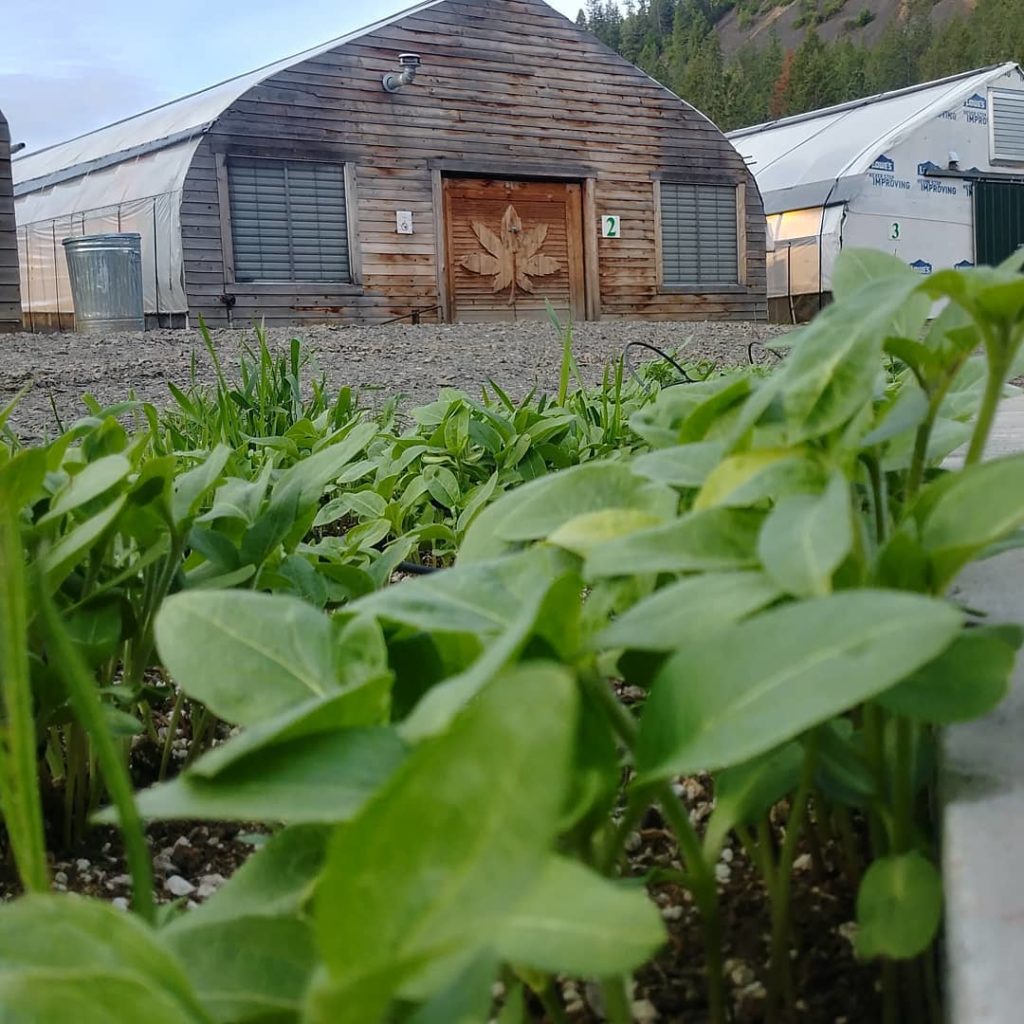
(508, 89)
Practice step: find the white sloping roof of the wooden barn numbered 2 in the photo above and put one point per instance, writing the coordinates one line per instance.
(169, 127)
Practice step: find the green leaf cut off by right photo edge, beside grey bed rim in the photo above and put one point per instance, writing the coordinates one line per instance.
(967, 511)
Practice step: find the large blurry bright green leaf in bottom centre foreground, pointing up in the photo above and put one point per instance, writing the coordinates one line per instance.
(434, 867)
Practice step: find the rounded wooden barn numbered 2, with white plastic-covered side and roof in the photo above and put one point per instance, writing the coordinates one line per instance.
(464, 161)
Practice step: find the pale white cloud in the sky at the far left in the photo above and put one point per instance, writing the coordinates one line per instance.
(44, 109)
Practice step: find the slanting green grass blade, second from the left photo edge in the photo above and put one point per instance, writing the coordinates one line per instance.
(90, 711)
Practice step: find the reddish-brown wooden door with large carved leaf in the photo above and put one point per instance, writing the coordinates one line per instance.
(513, 248)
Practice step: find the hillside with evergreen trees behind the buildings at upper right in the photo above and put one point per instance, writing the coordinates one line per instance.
(744, 62)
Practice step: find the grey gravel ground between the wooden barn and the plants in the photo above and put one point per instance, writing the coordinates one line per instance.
(415, 361)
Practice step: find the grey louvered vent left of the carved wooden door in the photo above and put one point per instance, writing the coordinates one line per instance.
(288, 221)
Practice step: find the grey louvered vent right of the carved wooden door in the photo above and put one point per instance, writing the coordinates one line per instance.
(699, 235)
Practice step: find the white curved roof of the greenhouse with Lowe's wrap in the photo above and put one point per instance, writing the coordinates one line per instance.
(810, 160)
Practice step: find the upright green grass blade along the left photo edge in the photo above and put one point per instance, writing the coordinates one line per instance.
(20, 797)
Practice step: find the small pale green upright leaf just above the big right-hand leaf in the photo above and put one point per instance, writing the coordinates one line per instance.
(806, 538)
